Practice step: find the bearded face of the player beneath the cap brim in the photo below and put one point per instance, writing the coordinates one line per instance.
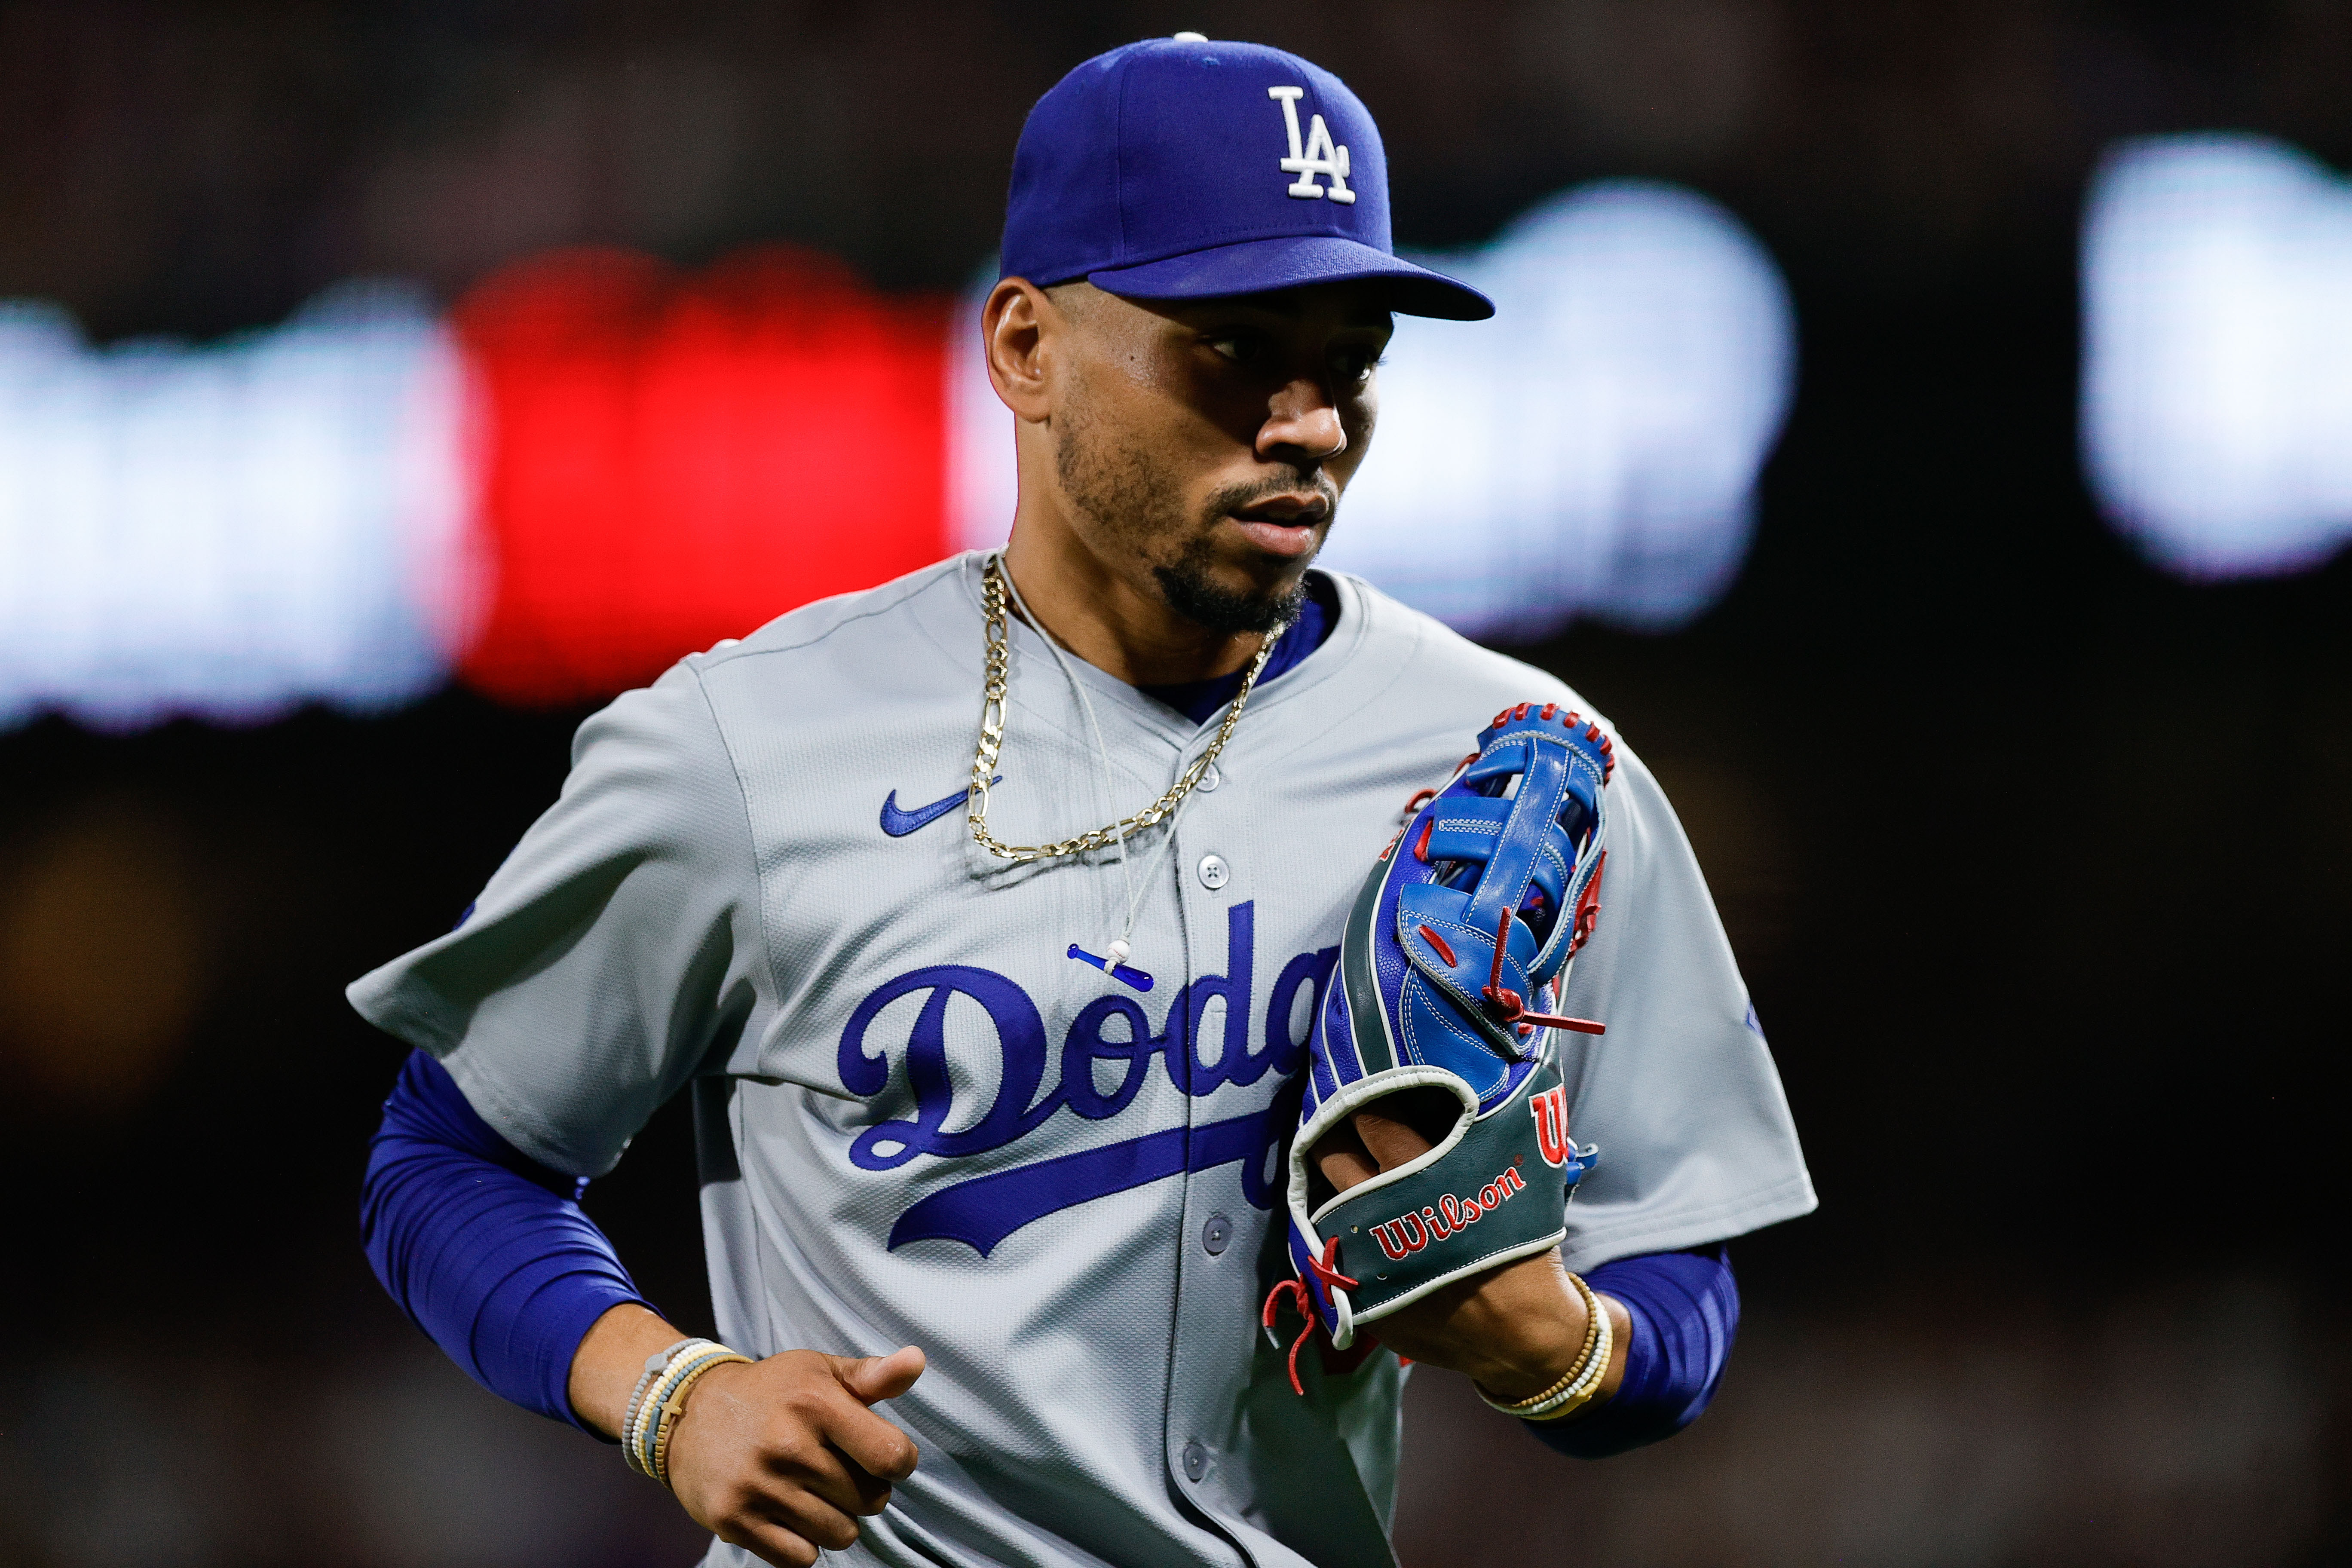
(1203, 445)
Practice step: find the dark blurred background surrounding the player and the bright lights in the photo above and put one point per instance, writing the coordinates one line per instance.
(2033, 855)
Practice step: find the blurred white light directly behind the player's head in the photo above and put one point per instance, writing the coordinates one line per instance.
(1591, 450)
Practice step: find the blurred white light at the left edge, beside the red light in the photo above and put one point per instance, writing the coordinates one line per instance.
(236, 530)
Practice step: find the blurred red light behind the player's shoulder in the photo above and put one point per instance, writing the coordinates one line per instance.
(674, 460)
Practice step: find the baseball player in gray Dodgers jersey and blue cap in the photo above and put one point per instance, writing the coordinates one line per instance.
(998, 925)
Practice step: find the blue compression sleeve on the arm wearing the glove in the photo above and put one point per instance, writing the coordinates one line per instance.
(1685, 1311)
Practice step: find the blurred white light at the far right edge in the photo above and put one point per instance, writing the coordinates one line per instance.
(2217, 387)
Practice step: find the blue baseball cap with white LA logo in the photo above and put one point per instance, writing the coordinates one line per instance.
(1184, 168)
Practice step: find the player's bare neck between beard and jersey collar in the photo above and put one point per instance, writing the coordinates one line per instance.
(1116, 624)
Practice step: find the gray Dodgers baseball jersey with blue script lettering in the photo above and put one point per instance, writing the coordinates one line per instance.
(923, 1123)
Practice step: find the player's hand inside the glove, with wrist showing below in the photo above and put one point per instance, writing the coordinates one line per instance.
(1514, 1329)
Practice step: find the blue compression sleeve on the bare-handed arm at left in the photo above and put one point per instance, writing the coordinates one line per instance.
(486, 1249)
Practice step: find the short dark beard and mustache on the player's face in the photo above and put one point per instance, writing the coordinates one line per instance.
(1137, 502)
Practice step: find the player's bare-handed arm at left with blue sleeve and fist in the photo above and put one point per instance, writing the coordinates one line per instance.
(493, 1257)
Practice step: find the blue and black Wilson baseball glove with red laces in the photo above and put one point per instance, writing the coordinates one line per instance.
(1466, 925)
